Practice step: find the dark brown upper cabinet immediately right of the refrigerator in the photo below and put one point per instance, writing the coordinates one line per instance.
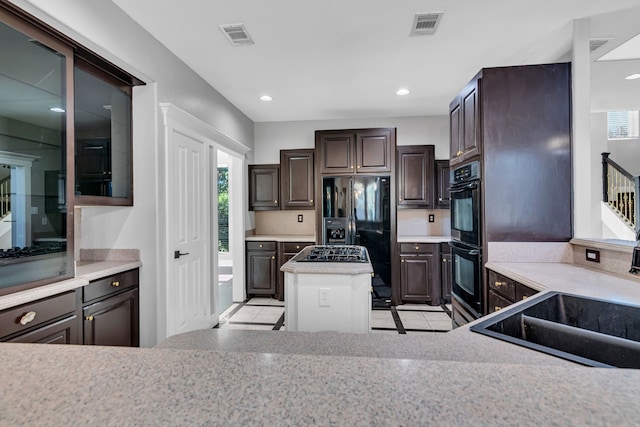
(415, 176)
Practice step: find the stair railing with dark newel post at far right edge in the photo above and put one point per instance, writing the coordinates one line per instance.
(620, 190)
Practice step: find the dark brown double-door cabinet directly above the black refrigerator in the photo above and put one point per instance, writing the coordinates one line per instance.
(356, 150)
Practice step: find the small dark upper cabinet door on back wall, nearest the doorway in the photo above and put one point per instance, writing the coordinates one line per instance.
(264, 187)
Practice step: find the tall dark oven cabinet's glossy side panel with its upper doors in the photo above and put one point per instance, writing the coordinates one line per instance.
(522, 120)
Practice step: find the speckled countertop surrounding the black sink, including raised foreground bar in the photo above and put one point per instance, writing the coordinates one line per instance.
(234, 377)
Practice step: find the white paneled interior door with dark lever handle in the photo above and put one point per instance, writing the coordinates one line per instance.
(189, 293)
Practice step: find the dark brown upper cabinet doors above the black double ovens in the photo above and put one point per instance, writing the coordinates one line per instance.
(464, 113)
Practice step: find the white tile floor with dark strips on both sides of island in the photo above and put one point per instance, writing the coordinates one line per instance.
(268, 314)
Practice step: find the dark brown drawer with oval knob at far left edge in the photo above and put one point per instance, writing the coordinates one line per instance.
(36, 313)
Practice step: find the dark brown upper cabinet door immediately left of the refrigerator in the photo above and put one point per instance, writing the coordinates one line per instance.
(297, 184)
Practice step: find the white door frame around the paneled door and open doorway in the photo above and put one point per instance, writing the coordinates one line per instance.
(176, 120)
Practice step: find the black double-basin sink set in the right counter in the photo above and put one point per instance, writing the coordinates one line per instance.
(585, 330)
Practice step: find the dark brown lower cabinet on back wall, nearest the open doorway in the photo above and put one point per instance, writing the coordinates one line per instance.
(262, 271)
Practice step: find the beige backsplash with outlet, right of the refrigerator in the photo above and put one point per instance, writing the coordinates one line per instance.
(415, 222)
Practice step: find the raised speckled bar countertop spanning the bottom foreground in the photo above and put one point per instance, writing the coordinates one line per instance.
(97, 386)
